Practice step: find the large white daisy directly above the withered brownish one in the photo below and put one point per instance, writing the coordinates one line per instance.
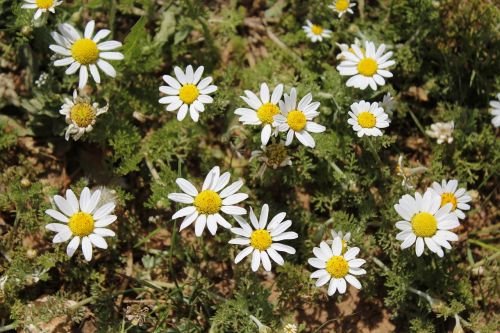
(85, 53)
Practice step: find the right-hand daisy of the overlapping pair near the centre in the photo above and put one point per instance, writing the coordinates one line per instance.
(297, 119)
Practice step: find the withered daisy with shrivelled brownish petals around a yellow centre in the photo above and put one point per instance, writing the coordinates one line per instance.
(80, 115)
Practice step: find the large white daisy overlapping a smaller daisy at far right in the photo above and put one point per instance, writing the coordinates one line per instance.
(425, 221)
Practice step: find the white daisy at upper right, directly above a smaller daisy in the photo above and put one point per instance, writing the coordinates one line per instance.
(366, 68)
